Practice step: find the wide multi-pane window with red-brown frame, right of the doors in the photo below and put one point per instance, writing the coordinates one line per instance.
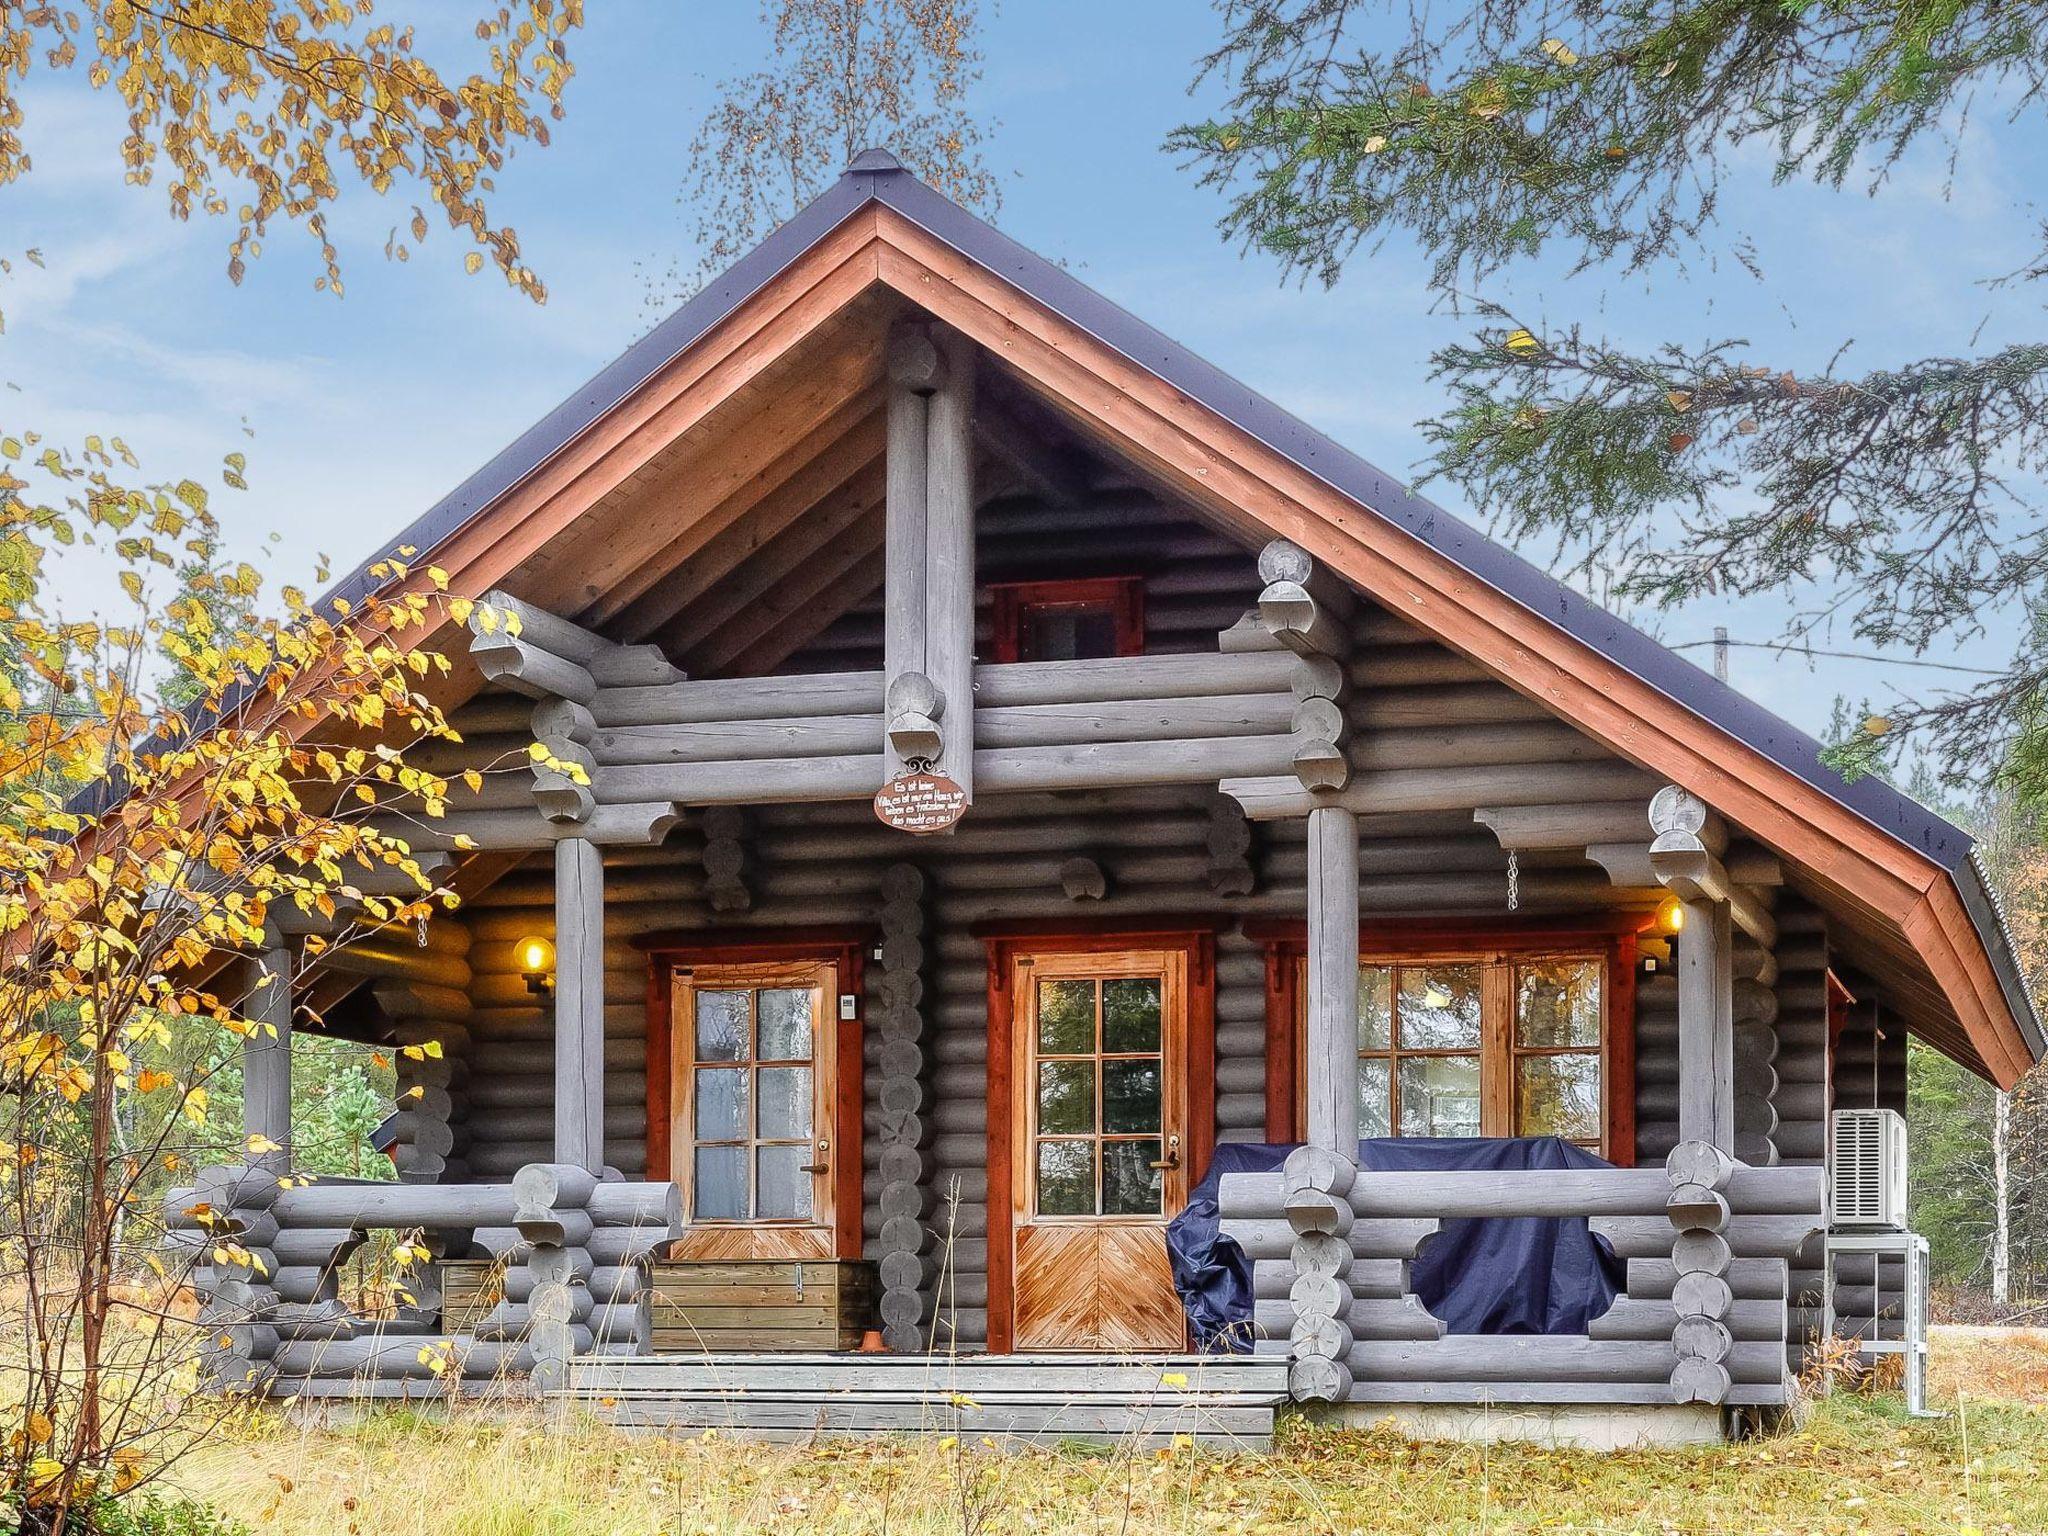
(1488, 1037)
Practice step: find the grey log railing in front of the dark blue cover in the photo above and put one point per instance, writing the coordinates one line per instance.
(1703, 1320)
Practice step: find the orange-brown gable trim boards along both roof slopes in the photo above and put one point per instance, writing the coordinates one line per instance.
(1258, 490)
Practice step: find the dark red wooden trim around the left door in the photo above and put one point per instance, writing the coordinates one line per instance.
(847, 951)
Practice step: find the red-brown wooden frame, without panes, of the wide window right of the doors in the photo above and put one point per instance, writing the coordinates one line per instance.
(1500, 949)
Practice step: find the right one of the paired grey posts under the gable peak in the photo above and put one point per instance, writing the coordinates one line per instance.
(949, 570)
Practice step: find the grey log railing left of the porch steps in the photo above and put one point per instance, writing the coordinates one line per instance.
(269, 1256)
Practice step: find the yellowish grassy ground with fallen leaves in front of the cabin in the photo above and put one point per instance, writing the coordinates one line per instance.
(1859, 1465)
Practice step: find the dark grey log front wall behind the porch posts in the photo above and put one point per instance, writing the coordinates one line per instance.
(1416, 714)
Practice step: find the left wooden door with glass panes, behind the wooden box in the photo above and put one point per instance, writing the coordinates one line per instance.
(751, 1101)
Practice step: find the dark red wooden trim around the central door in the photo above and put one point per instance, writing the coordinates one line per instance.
(1005, 945)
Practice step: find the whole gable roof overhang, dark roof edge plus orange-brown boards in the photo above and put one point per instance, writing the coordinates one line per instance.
(525, 525)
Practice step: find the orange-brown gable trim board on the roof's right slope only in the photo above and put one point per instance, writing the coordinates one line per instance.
(1242, 480)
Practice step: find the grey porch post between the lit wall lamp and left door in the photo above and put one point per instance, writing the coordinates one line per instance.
(579, 1005)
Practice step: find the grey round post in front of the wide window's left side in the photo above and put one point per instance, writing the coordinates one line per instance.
(1332, 1037)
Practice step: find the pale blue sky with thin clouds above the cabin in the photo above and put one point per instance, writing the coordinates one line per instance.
(357, 415)
